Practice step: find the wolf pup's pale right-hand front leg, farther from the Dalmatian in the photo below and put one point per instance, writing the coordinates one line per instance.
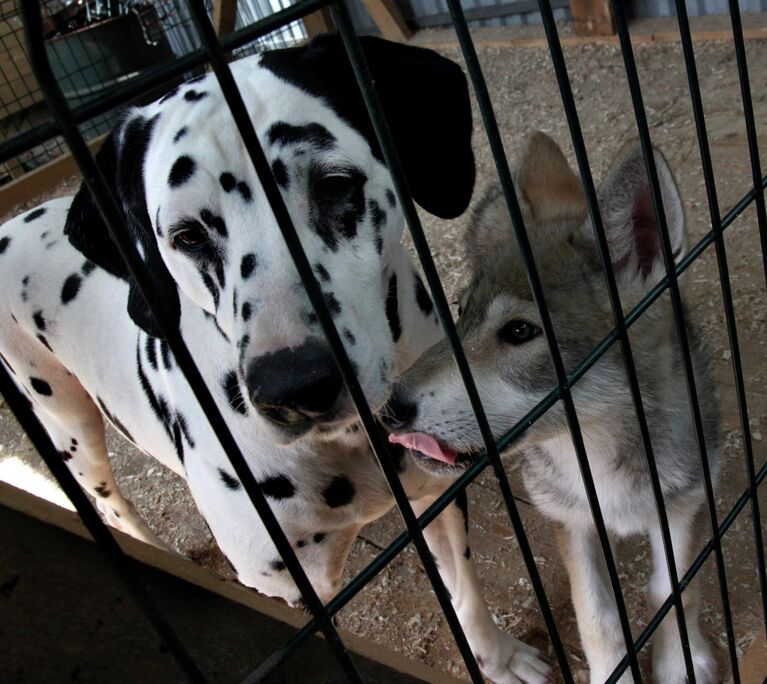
(668, 662)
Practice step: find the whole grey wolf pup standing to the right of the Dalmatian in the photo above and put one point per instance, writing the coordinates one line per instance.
(513, 374)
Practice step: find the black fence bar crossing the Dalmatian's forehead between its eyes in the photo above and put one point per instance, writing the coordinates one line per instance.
(253, 147)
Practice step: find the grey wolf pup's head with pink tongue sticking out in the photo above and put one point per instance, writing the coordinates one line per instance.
(500, 326)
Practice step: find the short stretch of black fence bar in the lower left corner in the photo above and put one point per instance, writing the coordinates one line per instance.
(124, 566)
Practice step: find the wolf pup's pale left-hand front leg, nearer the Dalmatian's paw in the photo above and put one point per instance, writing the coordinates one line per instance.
(598, 622)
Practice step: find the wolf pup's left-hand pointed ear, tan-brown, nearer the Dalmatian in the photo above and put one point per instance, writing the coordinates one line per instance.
(547, 183)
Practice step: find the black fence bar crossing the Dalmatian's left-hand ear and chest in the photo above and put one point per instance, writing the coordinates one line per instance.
(107, 206)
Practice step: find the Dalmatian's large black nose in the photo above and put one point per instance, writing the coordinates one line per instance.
(290, 386)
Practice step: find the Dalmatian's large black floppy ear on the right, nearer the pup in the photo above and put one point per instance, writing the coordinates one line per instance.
(425, 100)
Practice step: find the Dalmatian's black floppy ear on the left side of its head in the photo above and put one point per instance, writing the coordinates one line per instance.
(121, 159)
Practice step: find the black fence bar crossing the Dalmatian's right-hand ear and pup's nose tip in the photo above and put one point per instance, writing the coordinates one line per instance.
(343, 21)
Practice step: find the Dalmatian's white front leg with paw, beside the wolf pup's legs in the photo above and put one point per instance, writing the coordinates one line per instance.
(502, 658)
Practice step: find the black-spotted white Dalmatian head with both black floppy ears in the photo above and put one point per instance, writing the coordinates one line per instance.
(202, 223)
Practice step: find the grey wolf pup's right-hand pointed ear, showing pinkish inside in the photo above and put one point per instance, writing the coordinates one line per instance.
(628, 214)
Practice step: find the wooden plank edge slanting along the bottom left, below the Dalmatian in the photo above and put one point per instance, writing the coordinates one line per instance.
(177, 565)
